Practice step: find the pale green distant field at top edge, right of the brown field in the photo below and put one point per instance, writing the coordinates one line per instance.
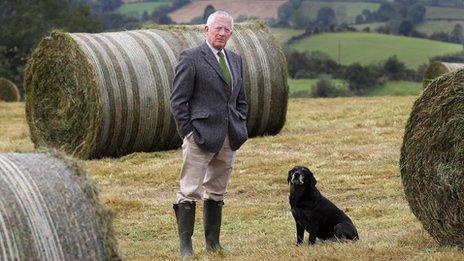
(345, 11)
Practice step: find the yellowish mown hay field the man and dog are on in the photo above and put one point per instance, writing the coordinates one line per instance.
(351, 144)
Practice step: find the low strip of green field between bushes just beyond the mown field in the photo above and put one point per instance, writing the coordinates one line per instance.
(396, 88)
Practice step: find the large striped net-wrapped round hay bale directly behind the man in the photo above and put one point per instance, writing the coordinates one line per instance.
(107, 94)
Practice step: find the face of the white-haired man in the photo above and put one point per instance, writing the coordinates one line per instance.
(219, 33)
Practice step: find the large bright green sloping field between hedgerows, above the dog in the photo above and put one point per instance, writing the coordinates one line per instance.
(367, 48)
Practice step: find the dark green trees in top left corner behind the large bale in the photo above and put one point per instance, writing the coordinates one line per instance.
(25, 22)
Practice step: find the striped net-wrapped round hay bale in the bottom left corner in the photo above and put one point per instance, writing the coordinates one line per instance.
(49, 210)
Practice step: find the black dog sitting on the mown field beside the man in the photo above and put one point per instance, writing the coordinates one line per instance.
(315, 213)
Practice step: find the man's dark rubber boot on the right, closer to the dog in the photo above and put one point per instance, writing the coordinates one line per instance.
(212, 215)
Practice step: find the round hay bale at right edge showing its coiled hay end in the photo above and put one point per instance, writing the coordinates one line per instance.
(432, 159)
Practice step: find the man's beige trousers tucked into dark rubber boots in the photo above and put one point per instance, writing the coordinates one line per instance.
(204, 175)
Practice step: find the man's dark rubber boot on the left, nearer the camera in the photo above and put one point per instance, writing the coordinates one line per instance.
(185, 216)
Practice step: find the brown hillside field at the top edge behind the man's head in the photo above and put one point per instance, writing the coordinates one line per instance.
(263, 9)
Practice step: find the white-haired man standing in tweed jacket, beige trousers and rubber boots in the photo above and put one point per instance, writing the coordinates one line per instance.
(209, 107)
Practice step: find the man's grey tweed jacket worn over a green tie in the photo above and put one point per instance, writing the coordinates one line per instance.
(201, 101)
